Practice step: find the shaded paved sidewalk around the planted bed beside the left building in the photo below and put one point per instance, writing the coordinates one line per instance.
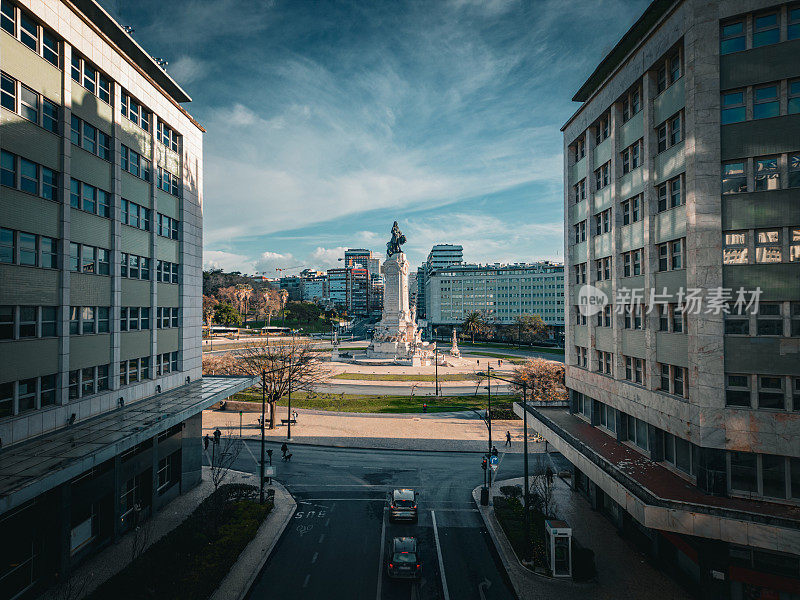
(112, 559)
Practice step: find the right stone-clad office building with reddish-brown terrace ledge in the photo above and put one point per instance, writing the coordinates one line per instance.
(682, 173)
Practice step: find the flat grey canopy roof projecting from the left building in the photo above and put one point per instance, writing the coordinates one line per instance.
(35, 466)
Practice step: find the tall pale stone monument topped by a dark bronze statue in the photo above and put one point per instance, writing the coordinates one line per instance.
(396, 338)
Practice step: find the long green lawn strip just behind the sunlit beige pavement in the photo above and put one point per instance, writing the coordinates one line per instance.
(386, 404)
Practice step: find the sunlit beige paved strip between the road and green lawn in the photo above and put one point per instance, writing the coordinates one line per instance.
(431, 432)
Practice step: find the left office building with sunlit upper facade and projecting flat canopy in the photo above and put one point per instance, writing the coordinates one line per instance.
(100, 304)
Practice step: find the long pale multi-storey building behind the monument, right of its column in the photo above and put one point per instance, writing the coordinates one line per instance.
(499, 292)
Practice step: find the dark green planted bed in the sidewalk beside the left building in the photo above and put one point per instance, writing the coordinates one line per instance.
(190, 562)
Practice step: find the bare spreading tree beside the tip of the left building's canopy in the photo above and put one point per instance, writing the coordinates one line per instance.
(291, 365)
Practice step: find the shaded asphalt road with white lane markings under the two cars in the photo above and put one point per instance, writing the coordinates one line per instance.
(336, 545)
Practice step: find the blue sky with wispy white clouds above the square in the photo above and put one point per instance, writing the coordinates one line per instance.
(327, 121)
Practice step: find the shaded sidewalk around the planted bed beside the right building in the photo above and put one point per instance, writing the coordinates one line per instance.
(623, 573)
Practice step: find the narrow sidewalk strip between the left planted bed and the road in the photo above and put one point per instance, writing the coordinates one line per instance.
(237, 583)
